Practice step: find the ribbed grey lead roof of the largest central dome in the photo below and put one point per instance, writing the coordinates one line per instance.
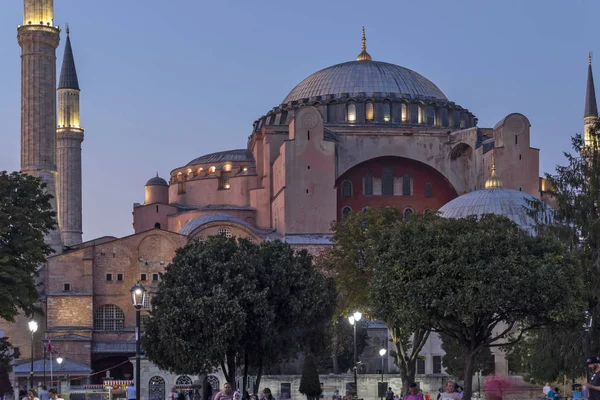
(367, 77)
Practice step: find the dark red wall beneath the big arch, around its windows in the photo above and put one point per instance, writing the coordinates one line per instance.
(420, 173)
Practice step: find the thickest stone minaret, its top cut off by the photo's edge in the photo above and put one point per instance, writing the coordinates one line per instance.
(38, 38)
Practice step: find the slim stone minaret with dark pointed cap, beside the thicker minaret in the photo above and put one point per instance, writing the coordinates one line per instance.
(69, 136)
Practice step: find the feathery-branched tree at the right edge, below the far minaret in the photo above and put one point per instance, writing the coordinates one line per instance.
(575, 189)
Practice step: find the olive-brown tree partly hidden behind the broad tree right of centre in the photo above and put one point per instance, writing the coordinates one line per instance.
(353, 261)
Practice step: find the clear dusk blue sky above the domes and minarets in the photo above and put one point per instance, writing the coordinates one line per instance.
(164, 82)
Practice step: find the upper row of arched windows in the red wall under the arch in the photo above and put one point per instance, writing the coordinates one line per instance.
(388, 185)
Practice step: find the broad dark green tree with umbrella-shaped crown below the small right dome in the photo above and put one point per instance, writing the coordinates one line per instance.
(480, 280)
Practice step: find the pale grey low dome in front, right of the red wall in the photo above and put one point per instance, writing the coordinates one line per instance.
(512, 204)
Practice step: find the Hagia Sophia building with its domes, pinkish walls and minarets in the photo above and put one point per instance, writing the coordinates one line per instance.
(358, 134)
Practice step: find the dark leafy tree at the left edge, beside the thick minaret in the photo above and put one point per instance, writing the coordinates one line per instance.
(25, 218)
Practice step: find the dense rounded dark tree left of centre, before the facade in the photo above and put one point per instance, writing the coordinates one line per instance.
(229, 303)
